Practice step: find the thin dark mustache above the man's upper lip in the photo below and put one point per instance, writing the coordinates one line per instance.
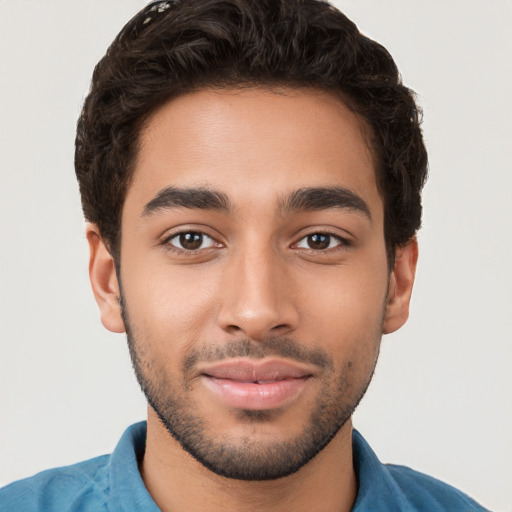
(272, 346)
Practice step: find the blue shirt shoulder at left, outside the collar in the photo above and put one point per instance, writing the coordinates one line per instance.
(81, 487)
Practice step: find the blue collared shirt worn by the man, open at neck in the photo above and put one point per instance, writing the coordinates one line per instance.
(112, 483)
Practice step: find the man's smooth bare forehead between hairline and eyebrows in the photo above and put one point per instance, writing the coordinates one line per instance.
(254, 145)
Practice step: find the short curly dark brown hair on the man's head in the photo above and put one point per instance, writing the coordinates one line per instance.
(174, 47)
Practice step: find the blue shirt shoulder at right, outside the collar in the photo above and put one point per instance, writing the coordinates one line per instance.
(424, 492)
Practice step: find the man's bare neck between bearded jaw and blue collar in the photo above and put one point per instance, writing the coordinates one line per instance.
(177, 482)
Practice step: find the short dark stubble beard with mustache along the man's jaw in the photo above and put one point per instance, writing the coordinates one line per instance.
(247, 458)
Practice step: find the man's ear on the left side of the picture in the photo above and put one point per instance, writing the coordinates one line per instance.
(102, 273)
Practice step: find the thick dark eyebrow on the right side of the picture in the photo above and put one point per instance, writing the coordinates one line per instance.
(324, 198)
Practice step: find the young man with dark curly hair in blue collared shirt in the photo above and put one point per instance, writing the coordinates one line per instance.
(251, 173)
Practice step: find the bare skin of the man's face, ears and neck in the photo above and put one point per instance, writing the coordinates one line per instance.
(255, 278)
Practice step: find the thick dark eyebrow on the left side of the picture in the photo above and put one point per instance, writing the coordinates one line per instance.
(193, 198)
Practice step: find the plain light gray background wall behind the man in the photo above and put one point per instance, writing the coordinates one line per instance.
(440, 401)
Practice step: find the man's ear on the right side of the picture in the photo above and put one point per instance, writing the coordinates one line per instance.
(401, 281)
